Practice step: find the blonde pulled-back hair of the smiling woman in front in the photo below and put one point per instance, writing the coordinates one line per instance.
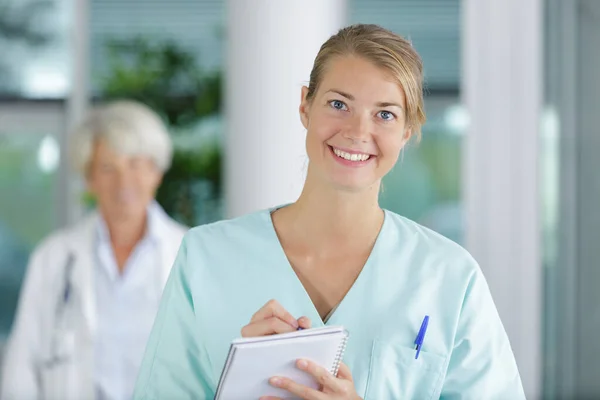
(384, 49)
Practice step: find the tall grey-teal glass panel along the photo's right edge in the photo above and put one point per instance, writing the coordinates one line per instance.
(570, 194)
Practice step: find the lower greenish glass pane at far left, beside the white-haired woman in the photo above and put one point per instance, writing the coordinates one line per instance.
(28, 177)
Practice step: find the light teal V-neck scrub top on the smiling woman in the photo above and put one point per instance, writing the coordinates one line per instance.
(227, 270)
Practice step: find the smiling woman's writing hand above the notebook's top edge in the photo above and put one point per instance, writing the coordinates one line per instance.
(272, 318)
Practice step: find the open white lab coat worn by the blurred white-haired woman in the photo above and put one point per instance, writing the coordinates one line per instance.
(49, 354)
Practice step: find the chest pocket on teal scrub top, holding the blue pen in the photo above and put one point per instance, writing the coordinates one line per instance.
(394, 372)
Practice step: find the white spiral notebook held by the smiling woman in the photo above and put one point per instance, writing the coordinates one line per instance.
(252, 361)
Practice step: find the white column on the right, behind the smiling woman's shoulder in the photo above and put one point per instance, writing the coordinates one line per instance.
(502, 87)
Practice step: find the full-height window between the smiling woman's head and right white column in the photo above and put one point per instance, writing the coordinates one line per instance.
(425, 185)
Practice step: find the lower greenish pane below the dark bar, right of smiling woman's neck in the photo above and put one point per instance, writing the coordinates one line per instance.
(425, 184)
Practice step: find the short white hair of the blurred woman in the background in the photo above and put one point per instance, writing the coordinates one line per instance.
(128, 127)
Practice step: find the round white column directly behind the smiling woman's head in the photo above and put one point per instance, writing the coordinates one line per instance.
(271, 46)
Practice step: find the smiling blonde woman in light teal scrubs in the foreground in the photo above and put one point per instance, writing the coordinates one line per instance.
(335, 257)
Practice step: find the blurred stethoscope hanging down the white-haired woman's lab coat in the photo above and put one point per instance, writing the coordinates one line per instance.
(57, 356)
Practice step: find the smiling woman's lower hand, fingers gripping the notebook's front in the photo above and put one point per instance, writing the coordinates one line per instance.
(332, 387)
